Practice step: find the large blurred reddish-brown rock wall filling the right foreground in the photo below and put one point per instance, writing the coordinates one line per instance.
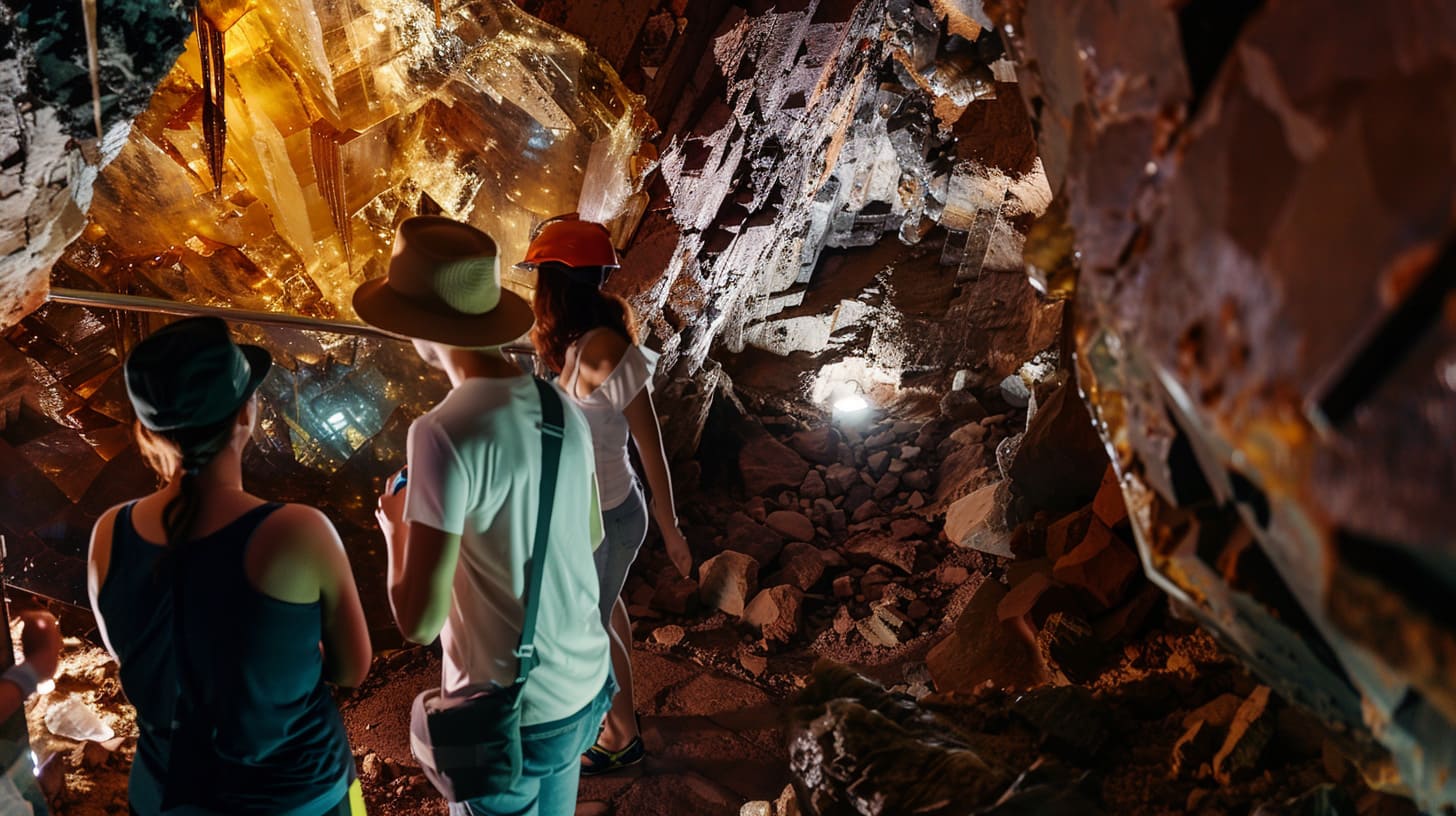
(1262, 202)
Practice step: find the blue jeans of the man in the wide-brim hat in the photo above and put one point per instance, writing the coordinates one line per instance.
(553, 753)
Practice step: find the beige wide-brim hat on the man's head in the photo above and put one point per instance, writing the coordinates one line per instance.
(445, 285)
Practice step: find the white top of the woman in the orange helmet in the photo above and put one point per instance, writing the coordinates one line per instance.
(605, 413)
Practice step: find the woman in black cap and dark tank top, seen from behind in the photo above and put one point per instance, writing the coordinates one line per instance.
(226, 613)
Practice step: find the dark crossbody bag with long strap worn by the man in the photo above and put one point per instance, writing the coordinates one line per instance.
(472, 747)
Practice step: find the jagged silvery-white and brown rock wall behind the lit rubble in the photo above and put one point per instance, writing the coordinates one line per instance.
(847, 184)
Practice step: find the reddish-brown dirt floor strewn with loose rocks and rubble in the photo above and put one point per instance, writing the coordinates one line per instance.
(1138, 715)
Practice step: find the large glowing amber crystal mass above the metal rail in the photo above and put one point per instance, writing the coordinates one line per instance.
(274, 161)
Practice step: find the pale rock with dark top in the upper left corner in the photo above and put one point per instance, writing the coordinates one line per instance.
(55, 135)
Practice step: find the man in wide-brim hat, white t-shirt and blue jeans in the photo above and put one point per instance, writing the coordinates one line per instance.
(461, 531)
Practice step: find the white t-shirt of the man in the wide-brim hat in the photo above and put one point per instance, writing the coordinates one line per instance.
(475, 466)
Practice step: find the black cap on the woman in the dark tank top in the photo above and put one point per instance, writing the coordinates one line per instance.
(191, 375)
